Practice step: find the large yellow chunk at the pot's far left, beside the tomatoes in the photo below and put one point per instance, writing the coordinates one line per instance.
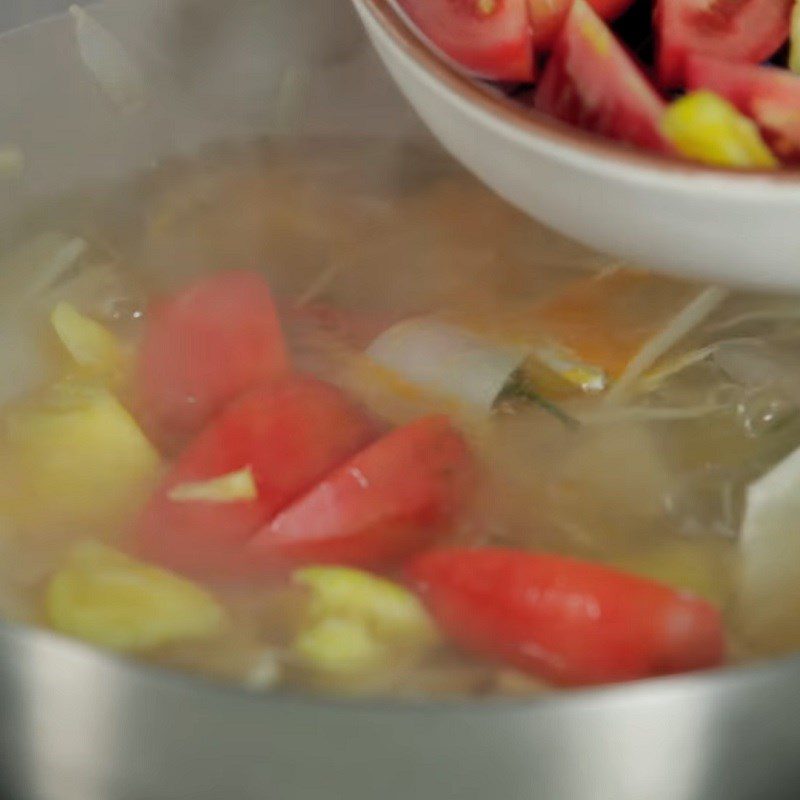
(80, 457)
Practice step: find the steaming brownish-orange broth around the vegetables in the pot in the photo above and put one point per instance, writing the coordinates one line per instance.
(354, 237)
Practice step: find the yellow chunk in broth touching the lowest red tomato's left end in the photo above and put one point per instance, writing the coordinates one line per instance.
(357, 622)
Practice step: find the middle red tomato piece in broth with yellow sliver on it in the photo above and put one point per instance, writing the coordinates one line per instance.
(291, 433)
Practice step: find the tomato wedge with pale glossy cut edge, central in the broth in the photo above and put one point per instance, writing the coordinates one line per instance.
(395, 496)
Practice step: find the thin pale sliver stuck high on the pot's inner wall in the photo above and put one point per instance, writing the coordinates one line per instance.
(108, 61)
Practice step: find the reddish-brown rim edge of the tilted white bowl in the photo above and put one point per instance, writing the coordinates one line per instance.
(534, 124)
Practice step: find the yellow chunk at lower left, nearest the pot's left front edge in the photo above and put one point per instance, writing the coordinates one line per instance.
(107, 598)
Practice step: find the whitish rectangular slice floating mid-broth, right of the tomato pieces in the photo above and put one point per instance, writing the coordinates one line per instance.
(448, 360)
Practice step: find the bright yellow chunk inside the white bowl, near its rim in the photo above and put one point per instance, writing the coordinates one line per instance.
(703, 126)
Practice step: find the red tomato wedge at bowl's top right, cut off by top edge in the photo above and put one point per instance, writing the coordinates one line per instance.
(747, 31)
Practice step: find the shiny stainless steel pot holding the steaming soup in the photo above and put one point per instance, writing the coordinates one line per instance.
(77, 724)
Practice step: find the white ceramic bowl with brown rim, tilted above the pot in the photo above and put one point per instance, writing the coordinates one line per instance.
(712, 224)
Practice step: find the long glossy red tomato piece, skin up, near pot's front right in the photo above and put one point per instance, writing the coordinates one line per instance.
(568, 621)
